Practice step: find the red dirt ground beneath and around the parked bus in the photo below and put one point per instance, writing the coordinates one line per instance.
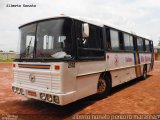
(135, 97)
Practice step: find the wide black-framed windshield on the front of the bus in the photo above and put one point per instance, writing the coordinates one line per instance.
(50, 39)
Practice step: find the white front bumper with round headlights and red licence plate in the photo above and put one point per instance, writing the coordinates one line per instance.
(58, 99)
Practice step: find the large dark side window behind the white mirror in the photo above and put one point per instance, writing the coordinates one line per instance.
(92, 46)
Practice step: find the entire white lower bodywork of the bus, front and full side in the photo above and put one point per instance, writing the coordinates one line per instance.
(70, 83)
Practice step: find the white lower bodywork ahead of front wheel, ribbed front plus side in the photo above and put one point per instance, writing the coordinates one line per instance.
(69, 83)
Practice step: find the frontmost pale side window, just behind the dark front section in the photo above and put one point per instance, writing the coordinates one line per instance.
(114, 37)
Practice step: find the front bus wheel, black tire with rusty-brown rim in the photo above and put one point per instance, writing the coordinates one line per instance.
(103, 87)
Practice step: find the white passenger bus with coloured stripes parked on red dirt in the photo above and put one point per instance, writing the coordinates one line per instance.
(64, 59)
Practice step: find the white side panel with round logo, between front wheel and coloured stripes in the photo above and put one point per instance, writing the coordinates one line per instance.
(120, 64)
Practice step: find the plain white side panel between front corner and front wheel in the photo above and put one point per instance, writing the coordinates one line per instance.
(87, 77)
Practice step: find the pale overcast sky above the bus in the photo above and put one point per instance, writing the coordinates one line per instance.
(139, 16)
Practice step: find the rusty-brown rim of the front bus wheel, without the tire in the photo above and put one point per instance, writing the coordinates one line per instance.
(101, 86)
